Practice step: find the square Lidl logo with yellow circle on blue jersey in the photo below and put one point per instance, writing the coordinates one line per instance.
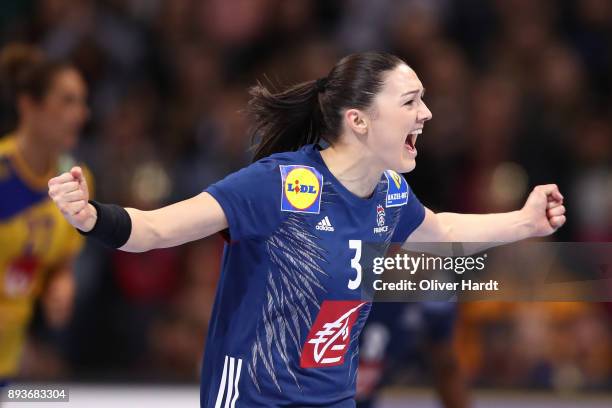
(302, 187)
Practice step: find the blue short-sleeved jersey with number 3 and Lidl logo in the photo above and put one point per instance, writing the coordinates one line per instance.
(289, 309)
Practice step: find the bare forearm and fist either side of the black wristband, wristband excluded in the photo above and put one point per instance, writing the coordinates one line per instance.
(173, 225)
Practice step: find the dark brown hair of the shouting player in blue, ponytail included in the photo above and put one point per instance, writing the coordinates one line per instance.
(286, 119)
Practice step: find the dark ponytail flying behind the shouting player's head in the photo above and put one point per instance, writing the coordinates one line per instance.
(285, 120)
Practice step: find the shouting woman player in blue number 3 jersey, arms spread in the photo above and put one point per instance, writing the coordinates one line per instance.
(326, 178)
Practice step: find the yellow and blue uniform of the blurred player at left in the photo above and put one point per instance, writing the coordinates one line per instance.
(35, 239)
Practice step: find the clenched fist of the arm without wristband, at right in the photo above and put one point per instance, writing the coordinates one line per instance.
(545, 210)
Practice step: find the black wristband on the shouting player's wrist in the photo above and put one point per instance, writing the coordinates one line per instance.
(113, 226)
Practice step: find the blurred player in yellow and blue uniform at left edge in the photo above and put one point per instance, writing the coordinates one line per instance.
(37, 245)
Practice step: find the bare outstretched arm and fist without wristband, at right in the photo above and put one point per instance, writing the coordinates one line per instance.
(542, 214)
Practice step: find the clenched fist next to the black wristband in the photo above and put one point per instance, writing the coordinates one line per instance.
(70, 194)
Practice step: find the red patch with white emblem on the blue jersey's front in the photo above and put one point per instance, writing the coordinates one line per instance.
(330, 336)
